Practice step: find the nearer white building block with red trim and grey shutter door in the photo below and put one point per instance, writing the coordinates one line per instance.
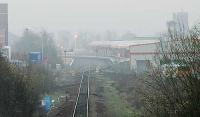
(142, 55)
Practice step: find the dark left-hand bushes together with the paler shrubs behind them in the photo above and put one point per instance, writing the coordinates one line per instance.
(21, 92)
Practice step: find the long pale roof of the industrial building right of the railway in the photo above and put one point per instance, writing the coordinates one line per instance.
(120, 44)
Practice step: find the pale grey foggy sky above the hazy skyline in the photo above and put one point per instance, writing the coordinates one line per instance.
(143, 17)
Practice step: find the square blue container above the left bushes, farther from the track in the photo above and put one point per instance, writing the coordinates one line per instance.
(35, 57)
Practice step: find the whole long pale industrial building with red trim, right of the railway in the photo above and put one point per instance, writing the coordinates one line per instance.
(139, 53)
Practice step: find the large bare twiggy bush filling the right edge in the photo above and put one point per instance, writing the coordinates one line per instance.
(175, 93)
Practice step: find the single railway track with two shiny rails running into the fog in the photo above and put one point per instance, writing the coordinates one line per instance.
(81, 108)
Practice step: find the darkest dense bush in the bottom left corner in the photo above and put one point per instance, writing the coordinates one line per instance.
(18, 94)
